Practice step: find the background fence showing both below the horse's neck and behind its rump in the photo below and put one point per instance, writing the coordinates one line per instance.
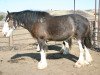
(21, 37)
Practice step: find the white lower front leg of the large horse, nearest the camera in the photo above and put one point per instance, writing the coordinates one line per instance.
(43, 63)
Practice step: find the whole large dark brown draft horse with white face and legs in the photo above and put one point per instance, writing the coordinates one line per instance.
(42, 26)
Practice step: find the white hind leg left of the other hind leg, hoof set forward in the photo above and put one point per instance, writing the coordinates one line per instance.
(81, 60)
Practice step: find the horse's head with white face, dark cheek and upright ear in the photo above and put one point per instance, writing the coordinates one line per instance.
(9, 25)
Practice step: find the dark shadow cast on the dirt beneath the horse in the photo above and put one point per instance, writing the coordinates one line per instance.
(49, 55)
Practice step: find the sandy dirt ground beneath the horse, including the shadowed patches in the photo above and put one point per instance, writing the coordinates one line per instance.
(24, 62)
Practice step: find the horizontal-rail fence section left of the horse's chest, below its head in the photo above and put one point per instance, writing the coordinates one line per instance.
(20, 38)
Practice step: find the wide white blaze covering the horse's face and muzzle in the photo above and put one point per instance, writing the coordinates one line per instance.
(6, 30)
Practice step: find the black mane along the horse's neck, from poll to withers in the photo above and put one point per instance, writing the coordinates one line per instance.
(28, 17)
